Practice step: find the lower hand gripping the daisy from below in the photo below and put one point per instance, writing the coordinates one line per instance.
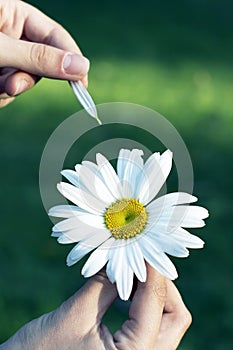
(158, 319)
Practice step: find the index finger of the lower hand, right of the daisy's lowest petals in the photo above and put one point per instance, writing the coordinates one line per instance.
(141, 330)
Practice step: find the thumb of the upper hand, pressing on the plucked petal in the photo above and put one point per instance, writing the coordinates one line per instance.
(41, 60)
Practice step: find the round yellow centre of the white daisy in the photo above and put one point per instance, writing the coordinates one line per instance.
(125, 218)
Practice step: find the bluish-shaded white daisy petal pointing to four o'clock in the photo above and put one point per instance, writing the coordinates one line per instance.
(169, 245)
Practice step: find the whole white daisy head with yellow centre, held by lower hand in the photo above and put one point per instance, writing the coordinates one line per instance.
(116, 215)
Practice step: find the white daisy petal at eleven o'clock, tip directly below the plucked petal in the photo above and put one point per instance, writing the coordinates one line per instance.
(109, 175)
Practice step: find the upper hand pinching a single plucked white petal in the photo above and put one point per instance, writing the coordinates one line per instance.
(34, 46)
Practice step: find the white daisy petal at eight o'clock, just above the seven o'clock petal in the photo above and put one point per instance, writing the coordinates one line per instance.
(87, 245)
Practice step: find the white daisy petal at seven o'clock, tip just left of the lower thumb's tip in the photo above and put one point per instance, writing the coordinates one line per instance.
(97, 259)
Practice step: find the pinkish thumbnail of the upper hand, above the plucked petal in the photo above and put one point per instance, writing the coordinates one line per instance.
(75, 64)
